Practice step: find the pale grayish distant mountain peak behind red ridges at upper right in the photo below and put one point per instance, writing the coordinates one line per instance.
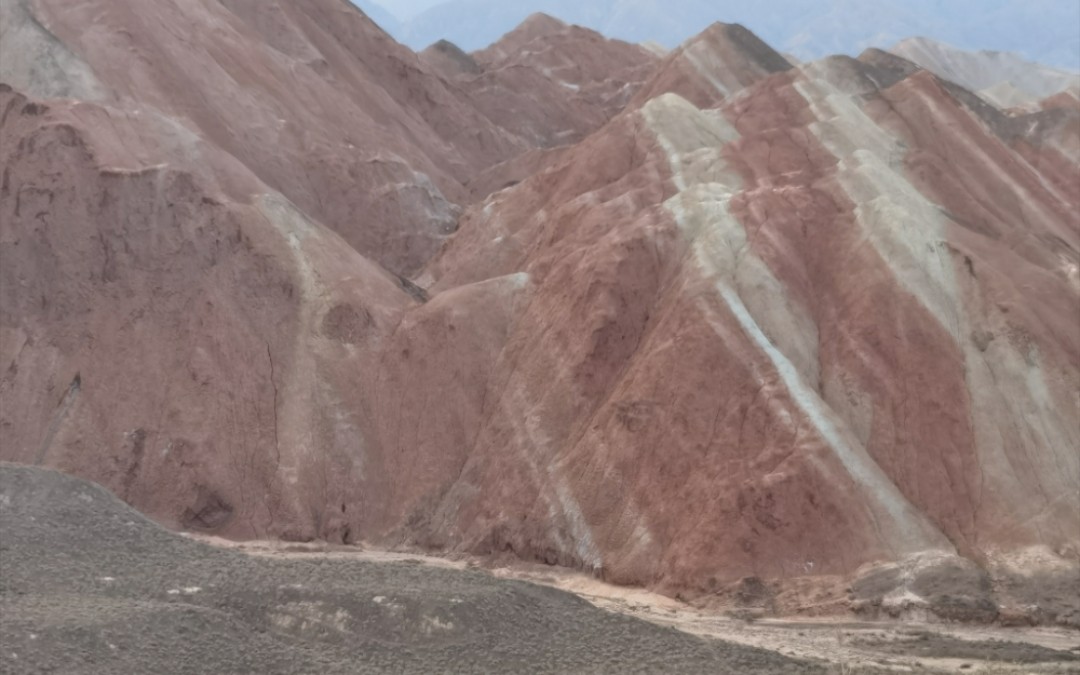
(1007, 79)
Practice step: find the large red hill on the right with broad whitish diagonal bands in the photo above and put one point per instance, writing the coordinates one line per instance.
(754, 329)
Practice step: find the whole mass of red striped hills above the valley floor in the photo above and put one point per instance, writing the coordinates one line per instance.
(762, 322)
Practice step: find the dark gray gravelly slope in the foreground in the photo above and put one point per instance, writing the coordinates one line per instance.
(89, 586)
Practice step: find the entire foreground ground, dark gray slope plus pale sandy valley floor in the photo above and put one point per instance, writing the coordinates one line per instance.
(92, 587)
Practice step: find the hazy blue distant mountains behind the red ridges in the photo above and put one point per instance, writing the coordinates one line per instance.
(1044, 31)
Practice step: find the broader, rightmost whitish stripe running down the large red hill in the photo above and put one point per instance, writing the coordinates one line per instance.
(1011, 406)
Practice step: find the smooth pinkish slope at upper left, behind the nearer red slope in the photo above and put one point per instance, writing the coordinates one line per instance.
(312, 97)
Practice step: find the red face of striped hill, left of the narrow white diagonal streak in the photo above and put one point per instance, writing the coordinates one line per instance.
(656, 474)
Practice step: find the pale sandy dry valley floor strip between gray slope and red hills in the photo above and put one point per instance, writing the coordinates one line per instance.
(843, 644)
